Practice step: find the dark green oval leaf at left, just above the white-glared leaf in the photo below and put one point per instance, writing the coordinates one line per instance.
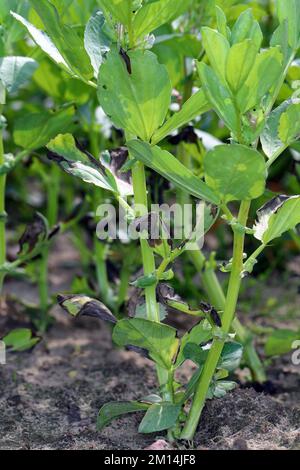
(33, 131)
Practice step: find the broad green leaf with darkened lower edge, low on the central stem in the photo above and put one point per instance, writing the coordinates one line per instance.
(159, 339)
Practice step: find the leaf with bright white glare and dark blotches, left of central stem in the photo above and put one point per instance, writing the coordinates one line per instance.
(84, 166)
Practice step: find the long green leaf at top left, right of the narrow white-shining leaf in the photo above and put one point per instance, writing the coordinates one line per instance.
(65, 38)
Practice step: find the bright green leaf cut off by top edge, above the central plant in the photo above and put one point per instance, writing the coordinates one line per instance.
(156, 13)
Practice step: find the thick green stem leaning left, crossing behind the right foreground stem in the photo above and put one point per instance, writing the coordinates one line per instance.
(217, 298)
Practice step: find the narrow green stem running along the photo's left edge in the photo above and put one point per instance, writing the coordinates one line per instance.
(2, 209)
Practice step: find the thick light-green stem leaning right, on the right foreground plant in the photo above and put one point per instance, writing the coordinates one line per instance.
(217, 346)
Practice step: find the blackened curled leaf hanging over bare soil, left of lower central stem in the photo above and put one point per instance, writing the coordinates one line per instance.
(82, 305)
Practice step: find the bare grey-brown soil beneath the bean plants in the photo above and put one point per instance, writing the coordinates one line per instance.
(50, 397)
